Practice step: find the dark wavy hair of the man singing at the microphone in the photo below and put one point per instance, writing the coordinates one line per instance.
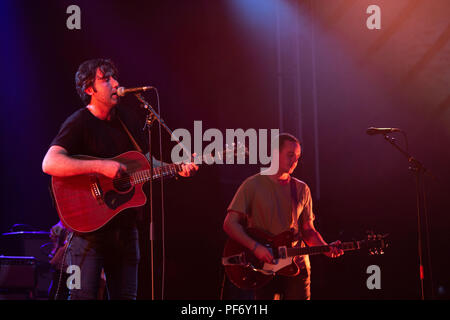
(85, 76)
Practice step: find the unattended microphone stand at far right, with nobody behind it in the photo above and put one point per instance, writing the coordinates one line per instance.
(419, 170)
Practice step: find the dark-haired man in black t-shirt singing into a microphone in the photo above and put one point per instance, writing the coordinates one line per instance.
(89, 143)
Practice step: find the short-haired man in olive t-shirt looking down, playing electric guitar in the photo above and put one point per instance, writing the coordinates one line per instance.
(264, 202)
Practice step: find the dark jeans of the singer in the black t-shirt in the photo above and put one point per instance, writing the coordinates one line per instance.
(114, 250)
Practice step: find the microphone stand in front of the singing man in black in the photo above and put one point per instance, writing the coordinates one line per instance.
(151, 116)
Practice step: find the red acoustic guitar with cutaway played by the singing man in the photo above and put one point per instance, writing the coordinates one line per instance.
(87, 202)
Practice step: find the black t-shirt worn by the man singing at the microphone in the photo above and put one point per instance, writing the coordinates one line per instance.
(84, 134)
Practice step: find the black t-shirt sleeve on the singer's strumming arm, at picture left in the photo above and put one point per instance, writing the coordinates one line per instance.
(70, 135)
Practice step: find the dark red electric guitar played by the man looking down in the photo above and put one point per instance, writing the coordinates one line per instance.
(246, 271)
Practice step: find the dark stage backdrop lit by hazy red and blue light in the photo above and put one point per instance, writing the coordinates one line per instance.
(312, 68)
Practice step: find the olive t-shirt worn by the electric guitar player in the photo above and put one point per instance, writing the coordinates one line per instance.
(268, 205)
